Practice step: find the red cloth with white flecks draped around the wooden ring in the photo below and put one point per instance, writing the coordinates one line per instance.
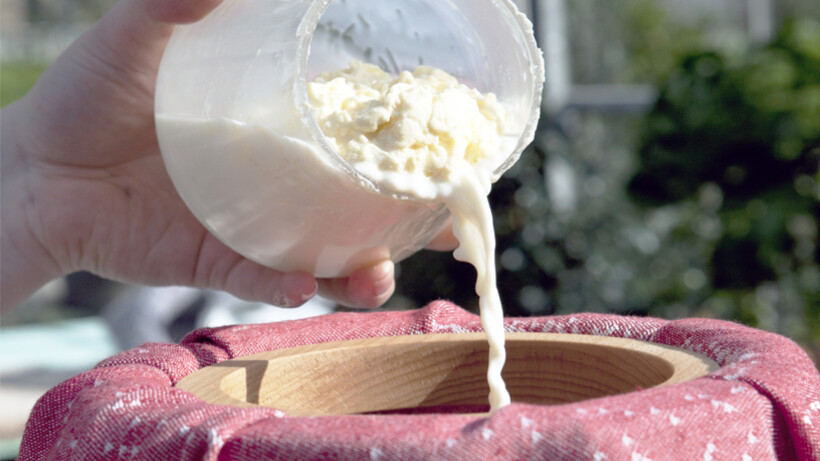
(763, 403)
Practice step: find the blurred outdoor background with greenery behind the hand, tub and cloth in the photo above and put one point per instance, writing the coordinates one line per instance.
(674, 174)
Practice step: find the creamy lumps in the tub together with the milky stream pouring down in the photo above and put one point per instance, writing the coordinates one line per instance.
(428, 136)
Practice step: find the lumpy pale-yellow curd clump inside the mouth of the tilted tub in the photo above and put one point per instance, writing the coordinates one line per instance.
(411, 131)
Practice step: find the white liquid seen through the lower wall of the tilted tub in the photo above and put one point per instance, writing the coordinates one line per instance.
(278, 201)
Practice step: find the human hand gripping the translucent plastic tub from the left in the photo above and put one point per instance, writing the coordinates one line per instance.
(85, 188)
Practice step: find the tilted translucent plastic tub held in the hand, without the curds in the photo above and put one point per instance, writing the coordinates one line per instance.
(248, 158)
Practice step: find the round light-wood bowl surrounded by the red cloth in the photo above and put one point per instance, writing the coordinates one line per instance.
(441, 373)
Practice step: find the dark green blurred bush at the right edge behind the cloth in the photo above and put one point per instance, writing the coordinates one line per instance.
(739, 137)
